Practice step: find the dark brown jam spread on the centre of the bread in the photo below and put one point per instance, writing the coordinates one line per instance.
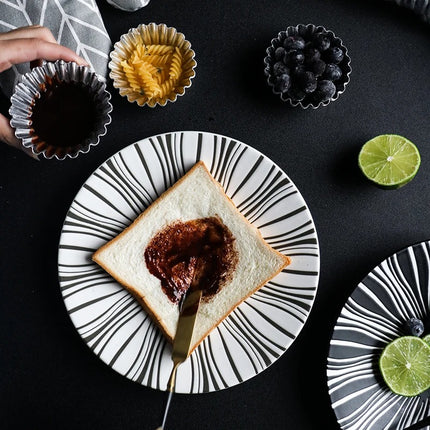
(197, 254)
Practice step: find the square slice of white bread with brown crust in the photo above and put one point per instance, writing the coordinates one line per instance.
(195, 196)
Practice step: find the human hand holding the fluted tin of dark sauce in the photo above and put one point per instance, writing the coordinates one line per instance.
(29, 44)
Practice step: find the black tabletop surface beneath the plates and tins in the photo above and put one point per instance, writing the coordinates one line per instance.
(50, 379)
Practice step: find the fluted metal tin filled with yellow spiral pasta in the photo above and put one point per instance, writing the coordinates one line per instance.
(152, 65)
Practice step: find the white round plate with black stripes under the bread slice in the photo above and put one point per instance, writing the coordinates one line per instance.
(113, 324)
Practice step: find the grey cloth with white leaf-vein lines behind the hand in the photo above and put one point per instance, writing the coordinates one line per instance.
(76, 24)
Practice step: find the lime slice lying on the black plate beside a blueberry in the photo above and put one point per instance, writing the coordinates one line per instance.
(405, 365)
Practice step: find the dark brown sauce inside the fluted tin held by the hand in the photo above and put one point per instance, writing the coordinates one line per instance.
(64, 115)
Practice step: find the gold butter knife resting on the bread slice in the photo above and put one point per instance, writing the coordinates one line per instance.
(182, 340)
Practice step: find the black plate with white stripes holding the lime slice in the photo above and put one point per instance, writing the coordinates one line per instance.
(373, 316)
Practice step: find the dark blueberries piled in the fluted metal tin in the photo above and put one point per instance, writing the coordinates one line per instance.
(307, 69)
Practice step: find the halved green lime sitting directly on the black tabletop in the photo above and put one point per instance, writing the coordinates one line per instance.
(389, 160)
